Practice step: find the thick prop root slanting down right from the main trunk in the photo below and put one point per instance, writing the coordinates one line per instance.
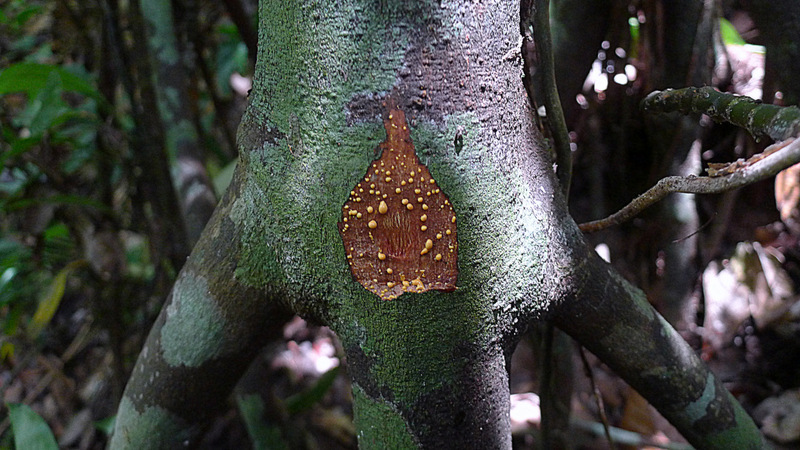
(606, 314)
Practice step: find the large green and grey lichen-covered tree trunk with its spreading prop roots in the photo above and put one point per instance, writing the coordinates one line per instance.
(428, 370)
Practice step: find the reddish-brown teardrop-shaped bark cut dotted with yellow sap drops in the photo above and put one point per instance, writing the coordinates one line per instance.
(398, 227)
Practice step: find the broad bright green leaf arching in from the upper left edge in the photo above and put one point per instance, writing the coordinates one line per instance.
(31, 78)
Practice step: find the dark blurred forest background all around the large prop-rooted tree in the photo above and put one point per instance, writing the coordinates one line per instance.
(96, 220)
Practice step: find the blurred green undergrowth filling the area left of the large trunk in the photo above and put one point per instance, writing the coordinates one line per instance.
(82, 268)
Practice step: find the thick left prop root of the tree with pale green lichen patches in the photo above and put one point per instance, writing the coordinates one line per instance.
(209, 330)
